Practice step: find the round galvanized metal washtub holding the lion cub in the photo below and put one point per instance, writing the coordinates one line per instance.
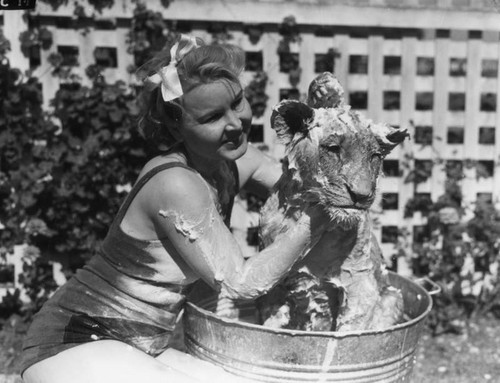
(278, 355)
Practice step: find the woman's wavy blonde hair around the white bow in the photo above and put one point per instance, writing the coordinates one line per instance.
(201, 65)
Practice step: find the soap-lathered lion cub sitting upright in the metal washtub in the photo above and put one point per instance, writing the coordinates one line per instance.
(333, 158)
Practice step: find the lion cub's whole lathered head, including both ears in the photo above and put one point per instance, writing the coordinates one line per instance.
(333, 156)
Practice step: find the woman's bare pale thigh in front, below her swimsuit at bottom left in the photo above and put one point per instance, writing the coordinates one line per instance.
(105, 361)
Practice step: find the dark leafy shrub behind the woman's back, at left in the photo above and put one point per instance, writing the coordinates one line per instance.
(63, 173)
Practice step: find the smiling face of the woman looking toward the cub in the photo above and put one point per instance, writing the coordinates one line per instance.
(216, 121)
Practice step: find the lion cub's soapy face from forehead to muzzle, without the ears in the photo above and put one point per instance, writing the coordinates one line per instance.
(348, 159)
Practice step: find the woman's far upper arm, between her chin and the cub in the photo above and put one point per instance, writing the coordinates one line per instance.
(258, 171)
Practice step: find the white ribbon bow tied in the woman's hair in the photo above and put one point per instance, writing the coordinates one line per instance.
(167, 76)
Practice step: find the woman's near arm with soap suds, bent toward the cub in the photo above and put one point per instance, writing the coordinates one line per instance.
(183, 210)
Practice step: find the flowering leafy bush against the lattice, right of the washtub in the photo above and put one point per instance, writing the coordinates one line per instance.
(461, 254)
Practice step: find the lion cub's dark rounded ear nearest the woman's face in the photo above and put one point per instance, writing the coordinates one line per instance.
(290, 117)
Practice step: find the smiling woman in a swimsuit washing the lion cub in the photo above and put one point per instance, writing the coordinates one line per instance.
(113, 320)
